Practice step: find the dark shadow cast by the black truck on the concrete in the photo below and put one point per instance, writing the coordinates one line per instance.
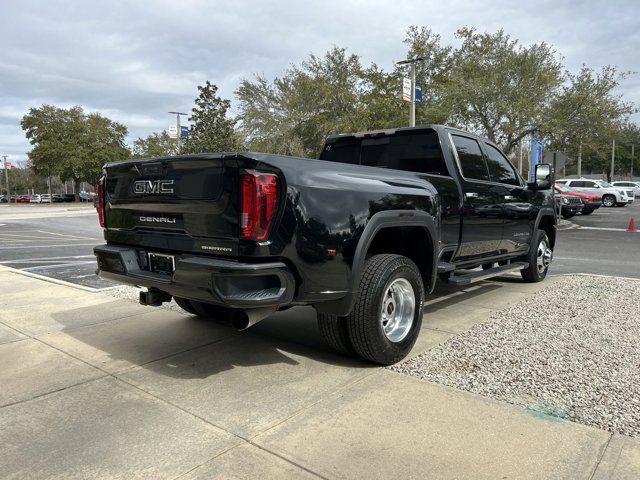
(180, 345)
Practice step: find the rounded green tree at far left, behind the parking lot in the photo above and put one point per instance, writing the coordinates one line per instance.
(72, 144)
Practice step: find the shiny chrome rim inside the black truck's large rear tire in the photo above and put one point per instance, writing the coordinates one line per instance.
(398, 309)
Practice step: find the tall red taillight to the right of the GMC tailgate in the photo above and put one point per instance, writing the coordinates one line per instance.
(258, 204)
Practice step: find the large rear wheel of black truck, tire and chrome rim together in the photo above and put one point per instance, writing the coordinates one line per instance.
(386, 319)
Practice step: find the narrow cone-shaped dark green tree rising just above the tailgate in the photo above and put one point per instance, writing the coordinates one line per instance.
(211, 130)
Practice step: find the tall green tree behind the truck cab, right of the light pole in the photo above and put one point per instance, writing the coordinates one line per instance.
(500, 88)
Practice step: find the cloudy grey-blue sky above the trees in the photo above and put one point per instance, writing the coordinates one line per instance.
(136, 60)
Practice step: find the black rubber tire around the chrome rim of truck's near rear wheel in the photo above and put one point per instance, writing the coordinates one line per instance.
(365, 322)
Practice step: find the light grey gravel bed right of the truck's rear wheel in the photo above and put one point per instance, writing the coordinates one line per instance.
(572, 351)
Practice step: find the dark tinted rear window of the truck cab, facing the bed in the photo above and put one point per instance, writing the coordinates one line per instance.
(414, 152)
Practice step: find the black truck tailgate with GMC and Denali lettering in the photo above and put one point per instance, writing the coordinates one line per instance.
(182, 203)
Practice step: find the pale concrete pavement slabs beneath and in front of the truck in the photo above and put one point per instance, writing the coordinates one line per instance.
(92, 387)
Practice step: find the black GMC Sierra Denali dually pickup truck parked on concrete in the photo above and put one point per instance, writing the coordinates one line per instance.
(361, 234)
